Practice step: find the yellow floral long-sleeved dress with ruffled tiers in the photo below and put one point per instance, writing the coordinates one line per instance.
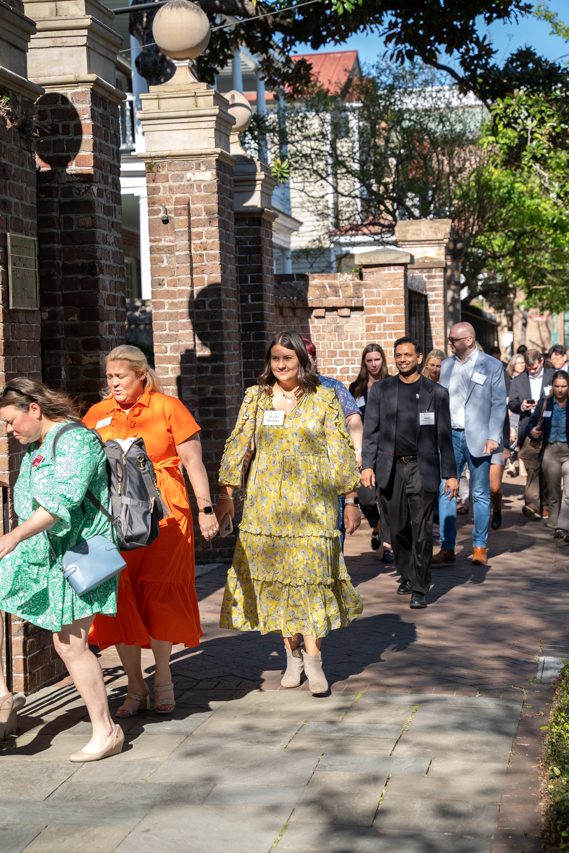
(288, 571)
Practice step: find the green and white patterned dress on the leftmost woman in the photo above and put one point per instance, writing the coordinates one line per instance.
(31, 584)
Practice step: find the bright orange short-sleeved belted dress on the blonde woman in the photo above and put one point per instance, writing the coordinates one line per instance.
(157, 596)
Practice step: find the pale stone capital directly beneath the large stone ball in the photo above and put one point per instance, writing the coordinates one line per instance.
(188, 118)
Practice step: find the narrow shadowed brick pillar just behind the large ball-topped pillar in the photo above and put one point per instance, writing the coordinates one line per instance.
(254, 256)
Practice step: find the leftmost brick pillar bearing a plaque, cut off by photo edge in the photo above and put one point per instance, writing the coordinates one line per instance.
(34, 660)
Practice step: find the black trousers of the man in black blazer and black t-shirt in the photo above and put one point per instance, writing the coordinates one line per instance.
(409, 510)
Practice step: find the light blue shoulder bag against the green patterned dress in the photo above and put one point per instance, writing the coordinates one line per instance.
(91, 562)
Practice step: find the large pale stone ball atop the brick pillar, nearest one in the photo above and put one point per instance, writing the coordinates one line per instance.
(181, 30)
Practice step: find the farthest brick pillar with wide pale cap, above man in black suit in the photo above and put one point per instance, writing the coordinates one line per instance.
(428, 241)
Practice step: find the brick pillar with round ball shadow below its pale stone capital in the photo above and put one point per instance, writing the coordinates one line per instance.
(79, 200)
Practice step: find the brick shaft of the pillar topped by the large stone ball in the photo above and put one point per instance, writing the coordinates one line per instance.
(195, 311)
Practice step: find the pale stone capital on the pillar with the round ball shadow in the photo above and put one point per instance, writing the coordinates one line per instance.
(77, 35)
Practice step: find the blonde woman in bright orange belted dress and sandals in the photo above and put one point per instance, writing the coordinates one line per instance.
(157, 602)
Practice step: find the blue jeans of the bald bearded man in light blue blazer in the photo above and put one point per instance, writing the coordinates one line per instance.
(479, 467)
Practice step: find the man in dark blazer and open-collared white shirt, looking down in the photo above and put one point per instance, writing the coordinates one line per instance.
(525, 391)
